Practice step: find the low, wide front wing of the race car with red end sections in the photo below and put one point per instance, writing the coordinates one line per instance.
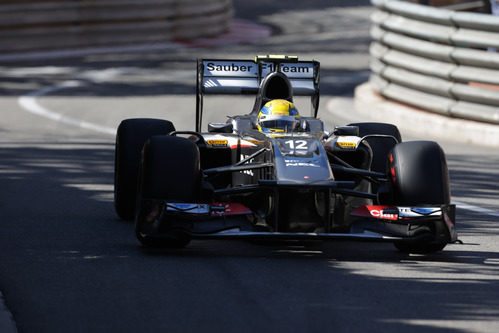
(159, 218)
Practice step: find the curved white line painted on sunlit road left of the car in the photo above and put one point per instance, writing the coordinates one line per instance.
(29, 103)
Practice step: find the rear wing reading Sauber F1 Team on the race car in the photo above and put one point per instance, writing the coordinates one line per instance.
(236, 77)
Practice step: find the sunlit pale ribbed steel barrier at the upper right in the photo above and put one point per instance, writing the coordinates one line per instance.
(436, 59)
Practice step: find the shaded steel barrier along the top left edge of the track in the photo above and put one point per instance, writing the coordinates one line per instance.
(51, 24)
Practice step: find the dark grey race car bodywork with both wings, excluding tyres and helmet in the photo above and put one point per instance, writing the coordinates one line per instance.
(307, 184)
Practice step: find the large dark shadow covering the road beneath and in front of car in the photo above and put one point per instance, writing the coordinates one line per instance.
(64, 252)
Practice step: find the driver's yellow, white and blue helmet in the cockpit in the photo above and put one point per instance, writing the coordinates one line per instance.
(278, 115)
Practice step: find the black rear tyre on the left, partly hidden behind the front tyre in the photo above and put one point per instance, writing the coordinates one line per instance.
(130, 138)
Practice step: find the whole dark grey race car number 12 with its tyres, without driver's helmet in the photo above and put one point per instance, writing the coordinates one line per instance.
(357, 182)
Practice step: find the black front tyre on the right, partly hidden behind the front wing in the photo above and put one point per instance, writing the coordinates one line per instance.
(419, 175)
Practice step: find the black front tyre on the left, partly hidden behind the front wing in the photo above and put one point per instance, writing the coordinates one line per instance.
(170, 171)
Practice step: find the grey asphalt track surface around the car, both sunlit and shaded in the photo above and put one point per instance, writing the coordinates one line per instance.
(68, 264)
